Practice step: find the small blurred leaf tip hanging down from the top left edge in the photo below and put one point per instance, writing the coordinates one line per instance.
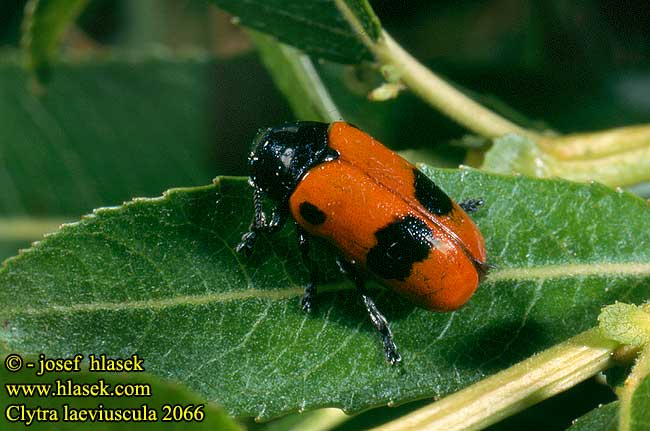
(43, 26)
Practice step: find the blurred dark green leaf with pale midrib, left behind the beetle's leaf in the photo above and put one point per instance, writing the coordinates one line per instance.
(96, 138)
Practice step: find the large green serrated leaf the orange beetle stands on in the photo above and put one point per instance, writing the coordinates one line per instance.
(159, 277)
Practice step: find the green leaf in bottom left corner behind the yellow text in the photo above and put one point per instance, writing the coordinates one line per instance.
(161, 393)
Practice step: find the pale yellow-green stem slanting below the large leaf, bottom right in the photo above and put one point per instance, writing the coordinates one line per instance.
(516, 388)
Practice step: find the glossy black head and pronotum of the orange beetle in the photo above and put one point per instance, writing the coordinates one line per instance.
(282, 155)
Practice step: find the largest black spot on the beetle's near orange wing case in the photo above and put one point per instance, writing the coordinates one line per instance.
(399, 245)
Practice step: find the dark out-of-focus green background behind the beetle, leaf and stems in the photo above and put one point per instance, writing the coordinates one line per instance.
(153, 94)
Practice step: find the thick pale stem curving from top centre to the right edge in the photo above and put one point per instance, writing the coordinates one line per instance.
(616, 157)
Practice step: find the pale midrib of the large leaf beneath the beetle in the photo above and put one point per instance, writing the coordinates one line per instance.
(539, 273)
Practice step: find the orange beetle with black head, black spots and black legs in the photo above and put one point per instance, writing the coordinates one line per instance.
(385, 217)
